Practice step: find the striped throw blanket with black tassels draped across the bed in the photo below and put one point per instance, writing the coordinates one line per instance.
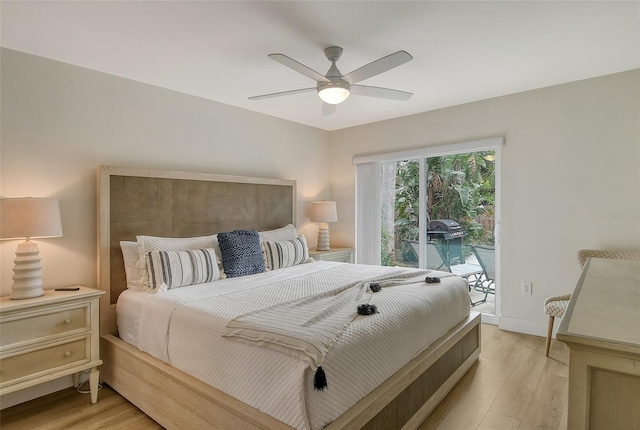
(307, 328)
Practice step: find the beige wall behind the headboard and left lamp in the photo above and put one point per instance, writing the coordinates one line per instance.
(59, 122)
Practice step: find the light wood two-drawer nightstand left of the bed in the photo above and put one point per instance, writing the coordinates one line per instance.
(49, 337)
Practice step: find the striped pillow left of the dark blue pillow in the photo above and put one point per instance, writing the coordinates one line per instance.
(173, 269)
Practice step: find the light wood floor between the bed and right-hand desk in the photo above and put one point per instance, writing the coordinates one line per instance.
(513, 386)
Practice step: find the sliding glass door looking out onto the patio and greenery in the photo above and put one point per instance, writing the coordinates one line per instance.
(440, 212)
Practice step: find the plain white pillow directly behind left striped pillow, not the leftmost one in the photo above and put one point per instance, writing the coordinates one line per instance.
(148, 244)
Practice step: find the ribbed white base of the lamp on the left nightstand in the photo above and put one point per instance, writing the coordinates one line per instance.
(27, 272)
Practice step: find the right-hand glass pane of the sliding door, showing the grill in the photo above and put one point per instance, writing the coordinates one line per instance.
(460, 207)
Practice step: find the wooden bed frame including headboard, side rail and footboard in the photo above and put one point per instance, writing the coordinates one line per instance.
(180, 204)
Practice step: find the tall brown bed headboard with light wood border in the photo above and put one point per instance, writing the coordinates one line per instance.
(134, 202)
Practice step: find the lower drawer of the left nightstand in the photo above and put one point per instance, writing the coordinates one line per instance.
(46, 358)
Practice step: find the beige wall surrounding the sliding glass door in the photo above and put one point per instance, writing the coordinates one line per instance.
(570, 177)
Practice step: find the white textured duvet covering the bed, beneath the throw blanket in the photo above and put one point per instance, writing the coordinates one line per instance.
(183, 327)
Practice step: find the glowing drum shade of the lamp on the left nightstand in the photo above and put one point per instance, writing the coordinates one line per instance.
(29, 218)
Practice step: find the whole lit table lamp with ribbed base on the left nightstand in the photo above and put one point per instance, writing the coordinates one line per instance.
(28, 218)
